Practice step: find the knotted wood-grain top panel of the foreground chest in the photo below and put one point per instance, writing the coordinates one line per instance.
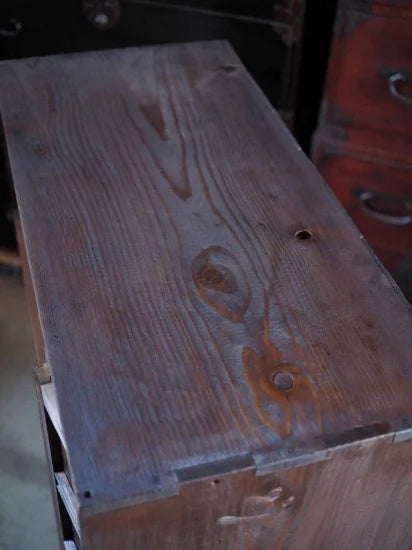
(161, 200)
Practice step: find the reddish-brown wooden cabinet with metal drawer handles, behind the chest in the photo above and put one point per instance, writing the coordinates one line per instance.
(363, 145)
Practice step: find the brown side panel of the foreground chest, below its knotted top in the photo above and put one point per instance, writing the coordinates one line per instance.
(358, 499)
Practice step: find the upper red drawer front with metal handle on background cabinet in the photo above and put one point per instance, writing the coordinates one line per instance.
(370, 74)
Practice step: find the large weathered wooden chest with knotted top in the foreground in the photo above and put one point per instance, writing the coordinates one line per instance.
(223, 363)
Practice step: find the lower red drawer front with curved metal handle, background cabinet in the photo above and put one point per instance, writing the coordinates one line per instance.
(378, 197)
